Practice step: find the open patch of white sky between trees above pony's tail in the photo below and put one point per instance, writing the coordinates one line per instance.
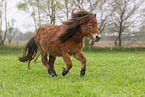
(23, 21)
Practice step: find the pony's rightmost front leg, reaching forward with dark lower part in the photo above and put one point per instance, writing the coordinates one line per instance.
(79, 56)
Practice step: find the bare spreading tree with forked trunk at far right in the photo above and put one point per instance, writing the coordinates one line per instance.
(125, 15)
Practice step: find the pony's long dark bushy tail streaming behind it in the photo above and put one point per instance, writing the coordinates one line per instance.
(30, 51)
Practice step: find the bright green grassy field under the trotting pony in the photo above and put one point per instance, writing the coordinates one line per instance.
(116, 74)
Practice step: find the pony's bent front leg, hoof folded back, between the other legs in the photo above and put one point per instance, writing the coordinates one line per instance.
(66, 58)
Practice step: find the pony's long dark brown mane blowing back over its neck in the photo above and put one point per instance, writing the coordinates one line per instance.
(71, 26)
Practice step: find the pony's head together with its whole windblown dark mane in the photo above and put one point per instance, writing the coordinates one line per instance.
(84, 22)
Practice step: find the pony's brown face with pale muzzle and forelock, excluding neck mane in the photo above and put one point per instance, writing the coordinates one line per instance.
(88, 24)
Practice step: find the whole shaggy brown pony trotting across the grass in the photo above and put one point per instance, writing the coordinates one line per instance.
(64, 40)
